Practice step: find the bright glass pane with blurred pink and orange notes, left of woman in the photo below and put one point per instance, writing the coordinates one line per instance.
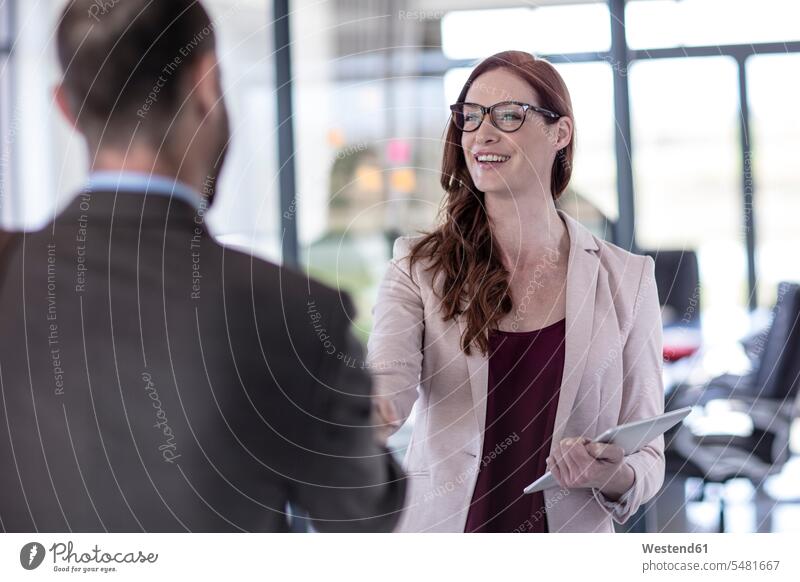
(368, 152)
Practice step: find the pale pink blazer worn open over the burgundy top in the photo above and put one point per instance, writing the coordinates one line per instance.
(612, 375)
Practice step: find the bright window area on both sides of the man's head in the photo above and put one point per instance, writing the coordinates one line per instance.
(245, 212)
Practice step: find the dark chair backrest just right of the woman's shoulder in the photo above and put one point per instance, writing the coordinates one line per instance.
(678, 280)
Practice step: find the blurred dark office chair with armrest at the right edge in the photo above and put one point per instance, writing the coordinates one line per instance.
(767, 399)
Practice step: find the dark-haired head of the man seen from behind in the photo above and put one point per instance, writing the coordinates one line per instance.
(141, 79)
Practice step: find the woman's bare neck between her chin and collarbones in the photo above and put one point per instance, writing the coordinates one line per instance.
(526, 227)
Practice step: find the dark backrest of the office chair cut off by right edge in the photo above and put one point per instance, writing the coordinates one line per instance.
(779, 365)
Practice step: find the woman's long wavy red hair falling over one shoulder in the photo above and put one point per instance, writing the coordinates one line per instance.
(475, 281)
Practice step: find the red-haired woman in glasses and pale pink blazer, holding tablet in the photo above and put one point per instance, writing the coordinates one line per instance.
(517, 333)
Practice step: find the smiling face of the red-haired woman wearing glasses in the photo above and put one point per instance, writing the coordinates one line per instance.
(515, 160)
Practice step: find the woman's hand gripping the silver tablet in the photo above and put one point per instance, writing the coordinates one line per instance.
(578, 462)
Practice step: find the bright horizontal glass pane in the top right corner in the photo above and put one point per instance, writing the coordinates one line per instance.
(670, 23)
